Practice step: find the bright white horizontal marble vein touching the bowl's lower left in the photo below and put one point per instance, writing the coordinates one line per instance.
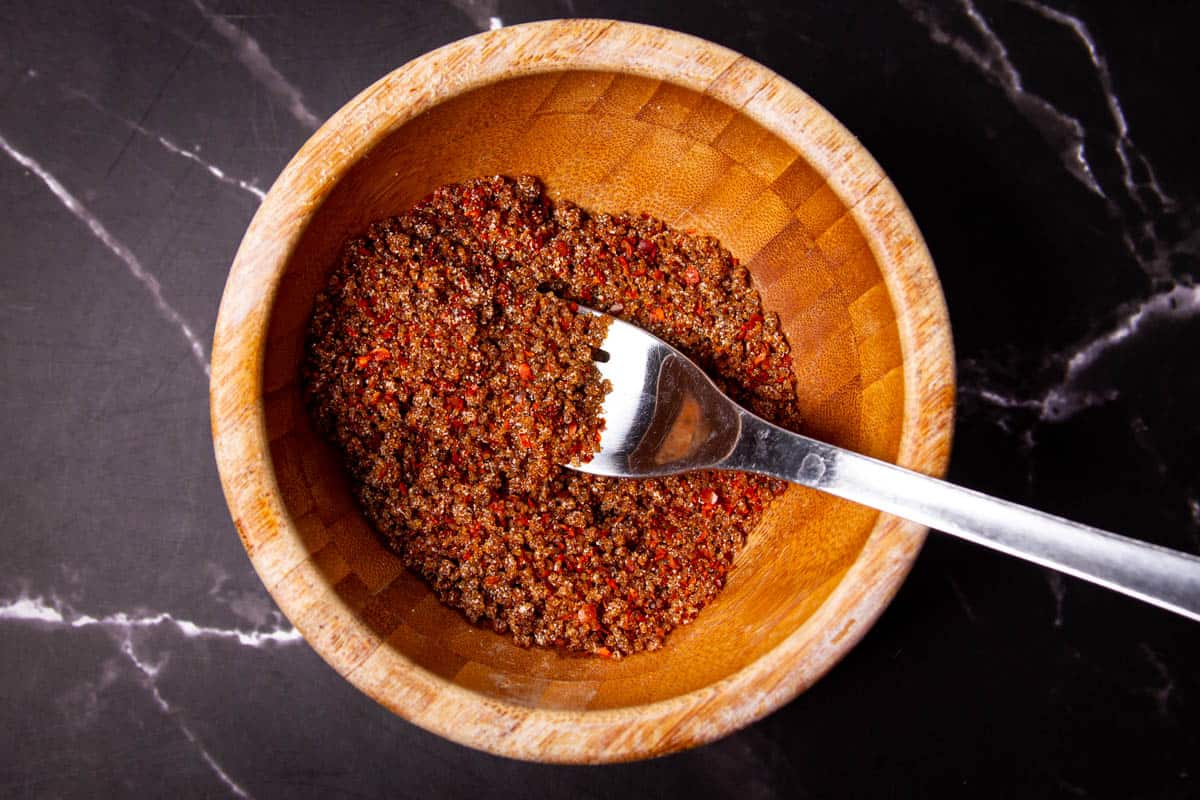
(38, 610)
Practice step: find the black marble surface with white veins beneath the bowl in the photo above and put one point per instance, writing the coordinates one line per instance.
(1048, 153)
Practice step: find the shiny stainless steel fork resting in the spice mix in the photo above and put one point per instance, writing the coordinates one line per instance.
(664, 417)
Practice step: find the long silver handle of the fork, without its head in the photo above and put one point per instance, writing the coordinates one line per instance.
(1156, 575)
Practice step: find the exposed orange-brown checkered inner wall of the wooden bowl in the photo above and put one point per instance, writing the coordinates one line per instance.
(614, 142)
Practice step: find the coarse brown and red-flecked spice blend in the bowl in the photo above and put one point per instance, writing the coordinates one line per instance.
(449, 363)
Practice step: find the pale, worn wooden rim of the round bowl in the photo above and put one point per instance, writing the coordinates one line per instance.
(243, 450)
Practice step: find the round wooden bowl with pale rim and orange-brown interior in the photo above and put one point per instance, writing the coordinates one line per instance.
(616, 117)
